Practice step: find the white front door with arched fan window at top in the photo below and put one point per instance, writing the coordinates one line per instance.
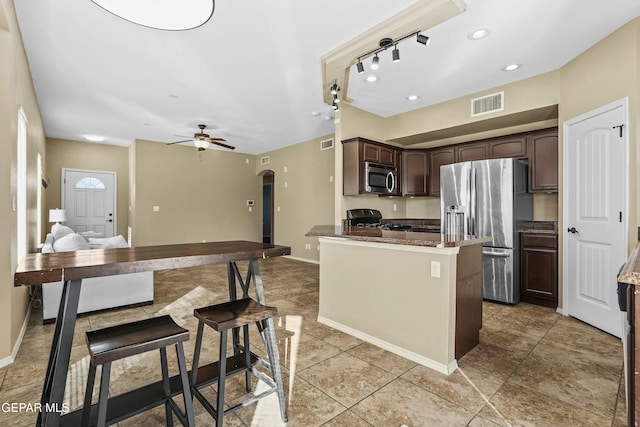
(89, 198)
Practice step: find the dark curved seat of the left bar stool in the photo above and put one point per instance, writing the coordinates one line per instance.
(120, 341)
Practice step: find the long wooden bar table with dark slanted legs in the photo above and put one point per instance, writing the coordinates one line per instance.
(72, 267)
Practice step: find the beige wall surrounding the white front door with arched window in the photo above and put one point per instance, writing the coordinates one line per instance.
(96, 157)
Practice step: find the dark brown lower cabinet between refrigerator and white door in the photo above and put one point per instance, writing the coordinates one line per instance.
(539, 269)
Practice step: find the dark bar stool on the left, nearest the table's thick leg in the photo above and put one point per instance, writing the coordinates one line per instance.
(129, 339)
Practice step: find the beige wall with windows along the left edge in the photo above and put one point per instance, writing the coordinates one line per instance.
(16, 90)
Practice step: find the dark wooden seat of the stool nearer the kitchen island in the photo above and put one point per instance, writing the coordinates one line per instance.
(234, 314)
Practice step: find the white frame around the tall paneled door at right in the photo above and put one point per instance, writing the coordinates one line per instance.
(624, 104)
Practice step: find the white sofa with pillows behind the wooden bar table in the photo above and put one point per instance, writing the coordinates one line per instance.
(97, 293)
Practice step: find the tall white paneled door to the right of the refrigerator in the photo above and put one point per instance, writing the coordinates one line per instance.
(595, 214)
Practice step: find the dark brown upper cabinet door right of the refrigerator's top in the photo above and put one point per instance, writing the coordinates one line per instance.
(543, 161)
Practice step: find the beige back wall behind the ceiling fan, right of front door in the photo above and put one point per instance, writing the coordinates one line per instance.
(202, 195)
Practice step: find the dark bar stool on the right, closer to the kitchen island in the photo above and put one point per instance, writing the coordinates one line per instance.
(232, 315)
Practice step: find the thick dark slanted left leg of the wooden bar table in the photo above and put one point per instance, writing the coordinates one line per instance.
(58, 365)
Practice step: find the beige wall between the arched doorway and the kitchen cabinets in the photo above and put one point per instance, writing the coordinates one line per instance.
(304, 193)
